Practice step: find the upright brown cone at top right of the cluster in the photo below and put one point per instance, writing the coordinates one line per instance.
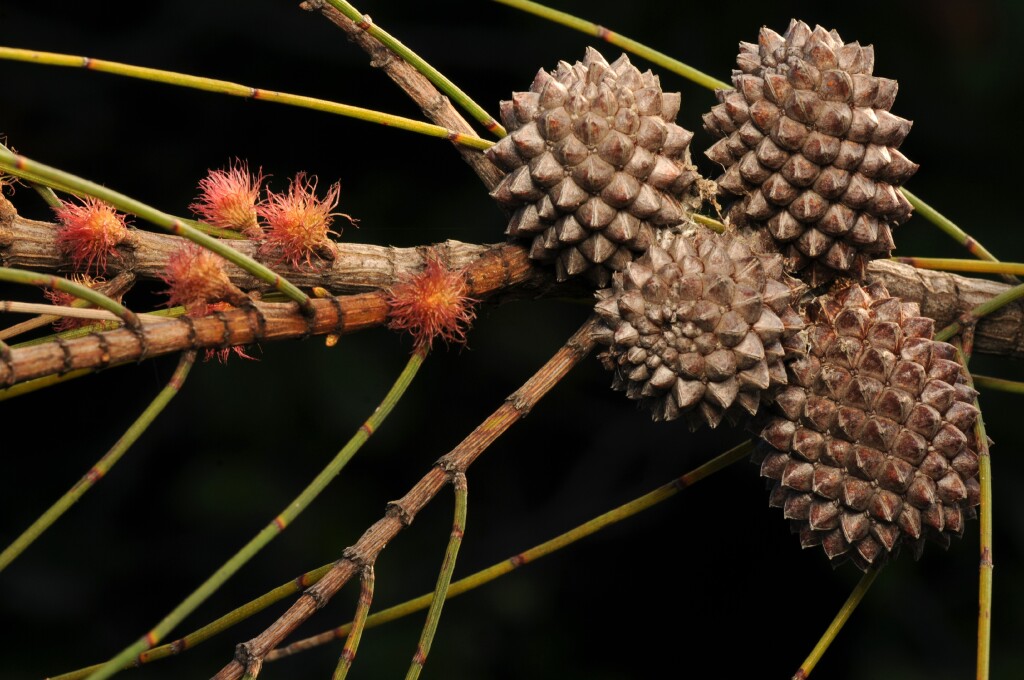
(810, 149)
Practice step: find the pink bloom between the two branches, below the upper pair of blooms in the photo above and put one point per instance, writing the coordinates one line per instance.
(197, 279)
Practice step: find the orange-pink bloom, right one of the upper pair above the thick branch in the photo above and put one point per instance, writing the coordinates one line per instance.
(297, 223)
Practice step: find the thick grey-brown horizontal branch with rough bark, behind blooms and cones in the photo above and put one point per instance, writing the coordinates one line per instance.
(31, 245)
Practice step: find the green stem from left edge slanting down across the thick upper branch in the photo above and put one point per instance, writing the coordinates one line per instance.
(17, 164)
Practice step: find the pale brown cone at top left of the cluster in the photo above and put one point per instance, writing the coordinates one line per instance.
(595, 163)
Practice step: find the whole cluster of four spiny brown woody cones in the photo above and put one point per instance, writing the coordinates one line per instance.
(867, 423)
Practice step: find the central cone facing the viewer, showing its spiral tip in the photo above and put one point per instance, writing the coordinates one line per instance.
(699, 326)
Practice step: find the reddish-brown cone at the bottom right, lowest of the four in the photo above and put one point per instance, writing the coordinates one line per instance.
(872, 444)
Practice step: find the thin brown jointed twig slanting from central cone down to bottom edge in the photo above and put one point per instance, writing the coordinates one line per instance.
(401, 514)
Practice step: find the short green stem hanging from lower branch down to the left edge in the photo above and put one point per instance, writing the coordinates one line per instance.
(104, 465)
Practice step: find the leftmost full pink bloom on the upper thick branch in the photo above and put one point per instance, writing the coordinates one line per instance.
(90, 232)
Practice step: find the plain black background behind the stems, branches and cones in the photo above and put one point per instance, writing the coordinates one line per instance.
(710, 583)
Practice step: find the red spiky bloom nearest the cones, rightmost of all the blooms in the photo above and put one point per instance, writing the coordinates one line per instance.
(434, 304)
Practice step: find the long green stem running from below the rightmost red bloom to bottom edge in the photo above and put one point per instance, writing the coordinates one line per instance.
(273, 530)
